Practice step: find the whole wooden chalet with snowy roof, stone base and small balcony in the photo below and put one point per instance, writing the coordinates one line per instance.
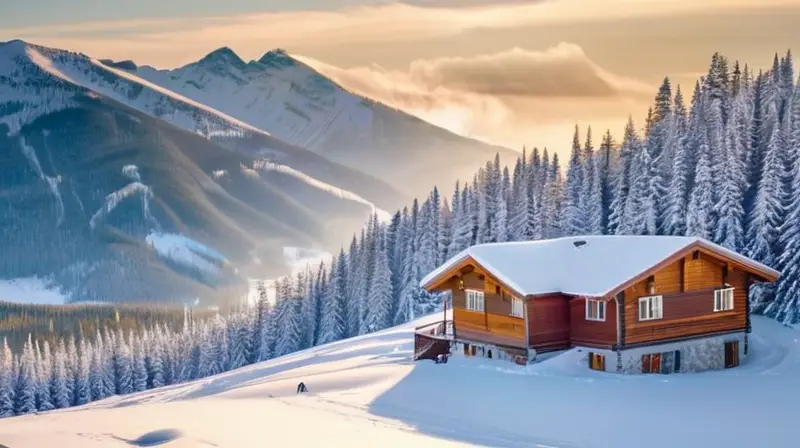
(635, 303)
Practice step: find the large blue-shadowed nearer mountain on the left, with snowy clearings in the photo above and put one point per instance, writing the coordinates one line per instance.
(112, 188)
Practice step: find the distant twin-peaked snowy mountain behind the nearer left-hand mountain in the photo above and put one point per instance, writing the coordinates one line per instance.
(285, 97)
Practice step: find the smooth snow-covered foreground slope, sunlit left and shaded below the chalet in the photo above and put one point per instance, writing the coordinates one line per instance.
(367, 392)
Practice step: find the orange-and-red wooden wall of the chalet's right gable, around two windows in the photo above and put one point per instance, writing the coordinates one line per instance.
(687, 287)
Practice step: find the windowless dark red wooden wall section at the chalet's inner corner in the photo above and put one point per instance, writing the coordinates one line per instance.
(548, 322)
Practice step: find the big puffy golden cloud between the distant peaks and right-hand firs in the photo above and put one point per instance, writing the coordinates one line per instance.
(502, 96)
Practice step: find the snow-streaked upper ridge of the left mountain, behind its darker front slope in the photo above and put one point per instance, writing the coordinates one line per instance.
(23, 96)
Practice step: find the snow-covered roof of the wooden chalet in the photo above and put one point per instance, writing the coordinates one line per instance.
(592, 269)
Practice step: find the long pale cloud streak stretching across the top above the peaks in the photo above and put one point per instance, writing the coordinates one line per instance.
(172, 41)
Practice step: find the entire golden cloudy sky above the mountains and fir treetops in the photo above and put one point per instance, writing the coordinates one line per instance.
(511, 72)
